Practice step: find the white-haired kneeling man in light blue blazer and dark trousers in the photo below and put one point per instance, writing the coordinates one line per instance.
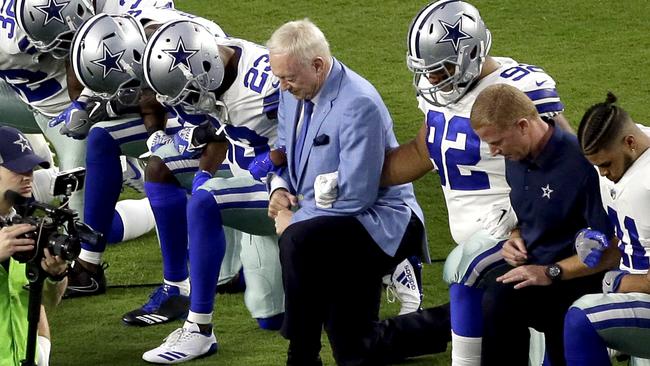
(336, 224)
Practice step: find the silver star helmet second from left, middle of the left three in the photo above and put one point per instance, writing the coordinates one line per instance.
(107, 56)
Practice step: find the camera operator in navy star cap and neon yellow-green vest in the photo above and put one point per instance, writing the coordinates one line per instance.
(17, 162)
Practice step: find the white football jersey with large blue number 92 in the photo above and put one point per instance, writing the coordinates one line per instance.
(473, 181)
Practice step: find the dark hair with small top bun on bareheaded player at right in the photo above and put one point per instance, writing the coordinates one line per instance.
(601, 124)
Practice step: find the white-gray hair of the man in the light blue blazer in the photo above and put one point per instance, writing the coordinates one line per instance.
(301, 39)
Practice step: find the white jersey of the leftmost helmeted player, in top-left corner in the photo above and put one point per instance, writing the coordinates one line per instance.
(37, 78)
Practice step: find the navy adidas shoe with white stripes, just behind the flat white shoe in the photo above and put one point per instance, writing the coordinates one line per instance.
(165, 304)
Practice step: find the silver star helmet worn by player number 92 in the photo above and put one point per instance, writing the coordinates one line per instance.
(449, 39)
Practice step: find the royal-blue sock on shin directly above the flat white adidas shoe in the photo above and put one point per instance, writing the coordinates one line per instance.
(207, 248)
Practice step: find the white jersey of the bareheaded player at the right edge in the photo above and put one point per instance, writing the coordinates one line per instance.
(627, 204)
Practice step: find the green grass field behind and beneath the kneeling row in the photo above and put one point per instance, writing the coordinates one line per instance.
(588, 46)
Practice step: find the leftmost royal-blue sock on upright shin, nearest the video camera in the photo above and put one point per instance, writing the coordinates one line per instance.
(103, 184)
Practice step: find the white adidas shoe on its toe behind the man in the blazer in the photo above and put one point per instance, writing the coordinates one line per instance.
(405, 285)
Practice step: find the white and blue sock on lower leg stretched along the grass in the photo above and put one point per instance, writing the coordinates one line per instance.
(132, 219)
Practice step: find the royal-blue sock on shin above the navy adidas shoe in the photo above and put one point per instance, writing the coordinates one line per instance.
(169, 204)
